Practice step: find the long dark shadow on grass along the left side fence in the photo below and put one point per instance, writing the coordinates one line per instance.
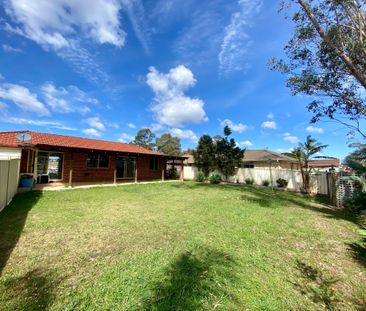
(12, 221)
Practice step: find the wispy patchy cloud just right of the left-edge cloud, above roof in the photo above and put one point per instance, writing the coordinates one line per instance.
(66, 99)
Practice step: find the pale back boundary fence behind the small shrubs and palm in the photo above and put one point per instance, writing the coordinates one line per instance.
(319, 183)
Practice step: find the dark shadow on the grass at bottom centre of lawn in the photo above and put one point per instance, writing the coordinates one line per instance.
(194, 280)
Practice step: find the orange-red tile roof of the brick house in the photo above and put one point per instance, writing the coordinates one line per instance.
(8, 139)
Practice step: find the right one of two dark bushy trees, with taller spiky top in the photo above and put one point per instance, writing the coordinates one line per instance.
(228, 154)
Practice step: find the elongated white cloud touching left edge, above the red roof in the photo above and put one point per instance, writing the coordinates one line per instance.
(23, 98)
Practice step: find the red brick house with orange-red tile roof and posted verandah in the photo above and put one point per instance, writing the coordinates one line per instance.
(57, 158)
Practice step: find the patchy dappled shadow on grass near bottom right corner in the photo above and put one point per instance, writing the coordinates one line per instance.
(314, 285)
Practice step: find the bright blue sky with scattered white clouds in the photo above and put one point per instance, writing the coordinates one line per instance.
(185, 67)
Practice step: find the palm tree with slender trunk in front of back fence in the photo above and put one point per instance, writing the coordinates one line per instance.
(303, 153)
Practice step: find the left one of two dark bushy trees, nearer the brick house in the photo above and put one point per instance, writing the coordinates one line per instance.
(204, 155)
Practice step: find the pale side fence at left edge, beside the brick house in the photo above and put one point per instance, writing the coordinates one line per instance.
(9, 178)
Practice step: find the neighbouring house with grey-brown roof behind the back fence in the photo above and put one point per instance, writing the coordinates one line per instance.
(267, 158)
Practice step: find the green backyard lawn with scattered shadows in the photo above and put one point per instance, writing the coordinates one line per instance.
(178, 246)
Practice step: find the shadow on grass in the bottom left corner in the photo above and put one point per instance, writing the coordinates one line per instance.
(35, 290)
